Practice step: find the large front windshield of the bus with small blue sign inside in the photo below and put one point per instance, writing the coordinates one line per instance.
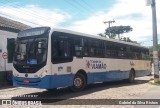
(30, 51)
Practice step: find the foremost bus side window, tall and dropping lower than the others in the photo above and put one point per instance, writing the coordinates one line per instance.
(61, 48)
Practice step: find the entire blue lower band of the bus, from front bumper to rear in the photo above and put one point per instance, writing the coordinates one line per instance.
(55, 81)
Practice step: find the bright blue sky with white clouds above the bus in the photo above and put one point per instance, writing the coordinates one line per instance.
(86, 16)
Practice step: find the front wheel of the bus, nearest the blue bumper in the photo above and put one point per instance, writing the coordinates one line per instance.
(79, 82)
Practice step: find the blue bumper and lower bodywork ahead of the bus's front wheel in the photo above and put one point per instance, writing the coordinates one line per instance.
(49, 81)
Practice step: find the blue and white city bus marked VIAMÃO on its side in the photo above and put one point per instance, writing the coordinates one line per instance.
(54, 58)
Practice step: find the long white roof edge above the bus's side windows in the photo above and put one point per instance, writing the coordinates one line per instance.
(96, 37)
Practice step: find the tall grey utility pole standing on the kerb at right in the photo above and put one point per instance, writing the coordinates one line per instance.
(155, 40)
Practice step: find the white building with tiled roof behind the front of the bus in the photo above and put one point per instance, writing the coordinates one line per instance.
(8, 33)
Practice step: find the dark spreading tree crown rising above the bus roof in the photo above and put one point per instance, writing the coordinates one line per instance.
(117, 30)
